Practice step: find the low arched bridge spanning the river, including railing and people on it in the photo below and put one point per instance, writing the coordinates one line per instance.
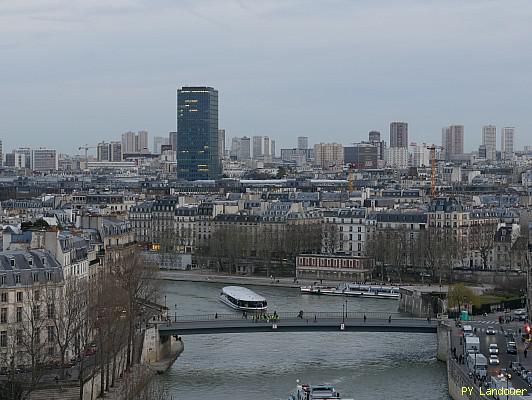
(294, 322)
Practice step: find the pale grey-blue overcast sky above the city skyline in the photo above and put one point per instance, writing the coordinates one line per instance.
(81, 71)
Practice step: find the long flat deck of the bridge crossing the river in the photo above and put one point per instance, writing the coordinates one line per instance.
(295, 324)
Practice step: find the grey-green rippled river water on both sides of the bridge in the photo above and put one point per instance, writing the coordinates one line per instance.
(265, 366)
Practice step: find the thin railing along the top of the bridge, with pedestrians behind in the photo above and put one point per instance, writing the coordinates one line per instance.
(293, 315)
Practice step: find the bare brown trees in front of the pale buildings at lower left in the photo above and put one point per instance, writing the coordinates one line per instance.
(99, 315)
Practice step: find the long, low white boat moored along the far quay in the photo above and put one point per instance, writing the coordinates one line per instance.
(353, 290)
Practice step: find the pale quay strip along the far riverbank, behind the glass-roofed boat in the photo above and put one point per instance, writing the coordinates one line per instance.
(214, 277)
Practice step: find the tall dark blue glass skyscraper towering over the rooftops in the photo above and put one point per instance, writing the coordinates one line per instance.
(197, 133)
